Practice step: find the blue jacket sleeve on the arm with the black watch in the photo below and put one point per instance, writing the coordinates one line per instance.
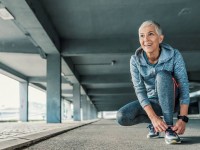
(180, 75)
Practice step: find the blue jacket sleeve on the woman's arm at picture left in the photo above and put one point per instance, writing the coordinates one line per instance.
(138, 83)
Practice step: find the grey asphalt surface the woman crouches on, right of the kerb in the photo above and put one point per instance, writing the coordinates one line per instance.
(108, 135)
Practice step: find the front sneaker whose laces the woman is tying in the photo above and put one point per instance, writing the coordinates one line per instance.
(171, 137)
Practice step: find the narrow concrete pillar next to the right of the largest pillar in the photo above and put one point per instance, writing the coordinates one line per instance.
(77, 102)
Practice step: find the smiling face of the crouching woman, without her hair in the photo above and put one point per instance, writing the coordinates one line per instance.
(149, 39)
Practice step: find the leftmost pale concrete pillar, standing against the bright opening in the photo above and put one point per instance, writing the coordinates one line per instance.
(23, 94)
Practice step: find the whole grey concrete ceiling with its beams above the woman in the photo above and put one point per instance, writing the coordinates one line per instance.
(96, 39)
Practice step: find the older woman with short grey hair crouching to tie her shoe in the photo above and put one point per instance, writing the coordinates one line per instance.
(161, 84)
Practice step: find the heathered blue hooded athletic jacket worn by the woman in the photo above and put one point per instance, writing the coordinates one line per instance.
(143, 75)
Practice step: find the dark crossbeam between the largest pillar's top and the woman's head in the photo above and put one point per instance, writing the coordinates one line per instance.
(94, 47)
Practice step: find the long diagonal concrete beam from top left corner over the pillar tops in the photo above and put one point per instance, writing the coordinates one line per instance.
(39, 30)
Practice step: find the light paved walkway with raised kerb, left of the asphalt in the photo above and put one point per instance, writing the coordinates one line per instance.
(15, 135)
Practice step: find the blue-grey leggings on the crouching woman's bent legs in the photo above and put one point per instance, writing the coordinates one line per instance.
(132, 113)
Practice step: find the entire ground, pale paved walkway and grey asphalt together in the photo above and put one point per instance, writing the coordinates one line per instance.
(95, 135)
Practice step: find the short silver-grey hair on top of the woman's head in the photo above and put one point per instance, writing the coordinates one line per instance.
(155, 24)
